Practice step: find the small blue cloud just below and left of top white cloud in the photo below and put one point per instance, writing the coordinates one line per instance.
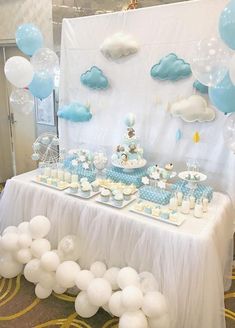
(94, 79)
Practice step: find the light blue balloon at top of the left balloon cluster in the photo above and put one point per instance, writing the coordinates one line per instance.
(28, 38)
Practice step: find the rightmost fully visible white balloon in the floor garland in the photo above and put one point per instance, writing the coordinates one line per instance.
(154, 305)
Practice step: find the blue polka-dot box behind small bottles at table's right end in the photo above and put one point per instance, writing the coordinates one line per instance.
(199, 192)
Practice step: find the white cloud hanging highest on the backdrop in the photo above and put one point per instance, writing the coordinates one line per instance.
(119, 45)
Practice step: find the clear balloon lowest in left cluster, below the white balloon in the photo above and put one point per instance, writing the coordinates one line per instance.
(22, 101)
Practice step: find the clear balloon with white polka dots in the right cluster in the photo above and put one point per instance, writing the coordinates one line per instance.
(210, 61)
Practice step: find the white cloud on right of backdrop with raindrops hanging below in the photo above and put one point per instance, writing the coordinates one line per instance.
(192, 109)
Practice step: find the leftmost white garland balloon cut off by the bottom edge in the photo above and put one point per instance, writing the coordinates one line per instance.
(133, 320)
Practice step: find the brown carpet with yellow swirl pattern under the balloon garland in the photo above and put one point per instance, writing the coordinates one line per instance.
(20, 308)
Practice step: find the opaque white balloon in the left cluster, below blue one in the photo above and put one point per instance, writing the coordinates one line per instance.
(18, 71)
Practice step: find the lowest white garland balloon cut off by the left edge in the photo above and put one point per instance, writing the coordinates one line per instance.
(9, 268)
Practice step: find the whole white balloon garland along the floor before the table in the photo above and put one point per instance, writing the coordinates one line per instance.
(122, 292)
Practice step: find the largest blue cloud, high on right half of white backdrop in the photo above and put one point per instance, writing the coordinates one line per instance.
(171, 68)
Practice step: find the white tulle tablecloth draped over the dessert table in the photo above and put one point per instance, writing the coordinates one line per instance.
(190, 262)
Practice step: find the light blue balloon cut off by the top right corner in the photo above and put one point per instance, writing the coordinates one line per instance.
(227, 24)
